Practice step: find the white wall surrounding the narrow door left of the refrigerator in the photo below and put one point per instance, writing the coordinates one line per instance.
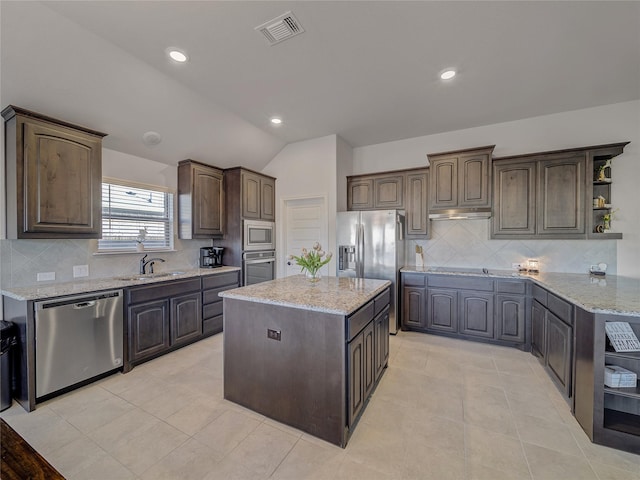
(306, 169)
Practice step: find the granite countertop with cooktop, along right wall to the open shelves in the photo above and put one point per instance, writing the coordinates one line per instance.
(608, 294)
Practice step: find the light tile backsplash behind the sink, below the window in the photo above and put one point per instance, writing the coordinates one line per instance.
(21, 260)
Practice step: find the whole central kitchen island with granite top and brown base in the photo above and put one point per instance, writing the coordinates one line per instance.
(307, 355)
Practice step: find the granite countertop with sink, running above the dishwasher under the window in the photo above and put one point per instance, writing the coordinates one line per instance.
(50, 290)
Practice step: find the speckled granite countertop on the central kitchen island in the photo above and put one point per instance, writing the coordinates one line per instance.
(337, 295)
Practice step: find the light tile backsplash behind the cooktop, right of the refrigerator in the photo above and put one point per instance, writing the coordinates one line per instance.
(466, 243)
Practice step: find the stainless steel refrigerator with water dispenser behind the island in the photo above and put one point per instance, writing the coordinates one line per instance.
(371, 245)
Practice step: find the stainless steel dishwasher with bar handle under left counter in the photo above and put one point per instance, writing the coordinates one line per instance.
(77, 338)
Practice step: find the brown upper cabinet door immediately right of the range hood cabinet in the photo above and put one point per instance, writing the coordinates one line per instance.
(514, 198)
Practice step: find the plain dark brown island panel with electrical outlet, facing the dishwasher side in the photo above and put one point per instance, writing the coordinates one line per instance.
(298, 379)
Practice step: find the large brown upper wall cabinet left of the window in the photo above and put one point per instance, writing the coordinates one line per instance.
(53, 177)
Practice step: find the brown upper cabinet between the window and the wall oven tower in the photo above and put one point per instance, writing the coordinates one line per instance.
(200, 200)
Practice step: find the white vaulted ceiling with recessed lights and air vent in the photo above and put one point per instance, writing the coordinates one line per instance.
(365, 70)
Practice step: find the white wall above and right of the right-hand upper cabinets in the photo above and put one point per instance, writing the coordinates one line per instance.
(593, 126)
